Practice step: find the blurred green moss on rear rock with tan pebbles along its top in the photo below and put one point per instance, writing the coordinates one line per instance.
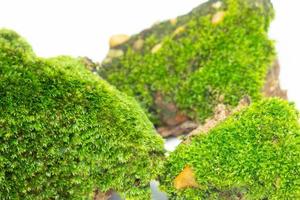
(218, 53)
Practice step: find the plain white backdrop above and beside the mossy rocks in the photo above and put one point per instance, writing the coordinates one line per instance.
(83, 27)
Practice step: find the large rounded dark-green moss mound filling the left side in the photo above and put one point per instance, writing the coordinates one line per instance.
(64, 132)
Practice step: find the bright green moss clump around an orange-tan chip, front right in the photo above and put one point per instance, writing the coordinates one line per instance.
(254, 154)
